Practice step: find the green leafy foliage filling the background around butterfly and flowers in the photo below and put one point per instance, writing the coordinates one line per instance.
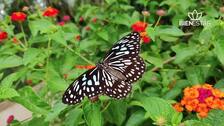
(177, 57)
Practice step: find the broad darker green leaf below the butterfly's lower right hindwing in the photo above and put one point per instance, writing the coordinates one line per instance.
(116, 112)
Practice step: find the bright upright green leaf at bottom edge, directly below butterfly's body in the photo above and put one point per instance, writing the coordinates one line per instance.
(93, 114)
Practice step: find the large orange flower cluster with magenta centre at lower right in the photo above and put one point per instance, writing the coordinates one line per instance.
(201, 99)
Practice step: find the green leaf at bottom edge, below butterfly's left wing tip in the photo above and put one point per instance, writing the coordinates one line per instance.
(74, 117)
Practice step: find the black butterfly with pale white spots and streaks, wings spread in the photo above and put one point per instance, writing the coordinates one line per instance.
(113, 76)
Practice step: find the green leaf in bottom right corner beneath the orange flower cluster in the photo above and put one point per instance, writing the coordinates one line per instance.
(215, 118)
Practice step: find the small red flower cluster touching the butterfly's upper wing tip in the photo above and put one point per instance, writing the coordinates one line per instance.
(140, 27)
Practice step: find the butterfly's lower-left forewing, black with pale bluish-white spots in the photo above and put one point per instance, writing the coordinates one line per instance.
(88, 84)
